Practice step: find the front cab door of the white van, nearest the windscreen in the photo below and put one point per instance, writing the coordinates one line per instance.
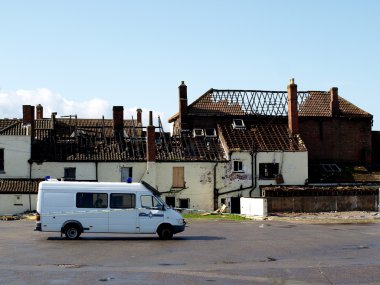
(151, 214)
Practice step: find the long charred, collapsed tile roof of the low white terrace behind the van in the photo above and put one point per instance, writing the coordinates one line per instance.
(72, 139)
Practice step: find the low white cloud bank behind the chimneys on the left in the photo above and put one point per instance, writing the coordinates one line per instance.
(11, 106)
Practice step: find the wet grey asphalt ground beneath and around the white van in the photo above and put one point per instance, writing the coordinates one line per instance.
(208, 252)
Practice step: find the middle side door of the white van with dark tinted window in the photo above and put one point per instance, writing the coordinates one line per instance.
(122, 217)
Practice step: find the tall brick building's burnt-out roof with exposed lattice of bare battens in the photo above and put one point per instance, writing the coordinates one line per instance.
(217, 102)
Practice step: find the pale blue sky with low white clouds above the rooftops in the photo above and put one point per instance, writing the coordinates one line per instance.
(83, 57)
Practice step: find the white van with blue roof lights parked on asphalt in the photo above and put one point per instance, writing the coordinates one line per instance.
(73, 208)
